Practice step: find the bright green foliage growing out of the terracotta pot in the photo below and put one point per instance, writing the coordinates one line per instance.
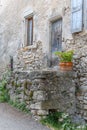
(65, 56)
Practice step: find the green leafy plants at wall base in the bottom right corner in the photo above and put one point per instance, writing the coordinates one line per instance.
(61, 121)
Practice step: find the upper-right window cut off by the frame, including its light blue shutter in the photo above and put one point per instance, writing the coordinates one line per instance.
(79, 15)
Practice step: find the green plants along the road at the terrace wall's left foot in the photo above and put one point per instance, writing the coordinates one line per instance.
(5, 97)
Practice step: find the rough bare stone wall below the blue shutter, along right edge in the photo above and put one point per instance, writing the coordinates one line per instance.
(80, 68)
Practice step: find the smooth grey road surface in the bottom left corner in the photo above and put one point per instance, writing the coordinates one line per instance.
(12, 119)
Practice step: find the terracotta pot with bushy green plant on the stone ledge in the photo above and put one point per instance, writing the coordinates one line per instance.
(65, 59)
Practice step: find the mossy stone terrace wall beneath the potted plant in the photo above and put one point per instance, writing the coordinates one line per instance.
(43, 91)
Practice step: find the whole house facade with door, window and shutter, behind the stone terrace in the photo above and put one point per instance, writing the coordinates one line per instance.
(48, 15)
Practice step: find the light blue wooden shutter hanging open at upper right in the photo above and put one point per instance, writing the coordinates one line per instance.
(76, 15)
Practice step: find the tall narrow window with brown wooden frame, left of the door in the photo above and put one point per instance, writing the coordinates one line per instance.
(29, 31)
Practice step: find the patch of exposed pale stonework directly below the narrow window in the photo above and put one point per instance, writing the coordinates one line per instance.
(30, 58)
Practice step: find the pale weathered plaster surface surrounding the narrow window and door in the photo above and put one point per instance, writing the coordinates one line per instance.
(12, 24)
